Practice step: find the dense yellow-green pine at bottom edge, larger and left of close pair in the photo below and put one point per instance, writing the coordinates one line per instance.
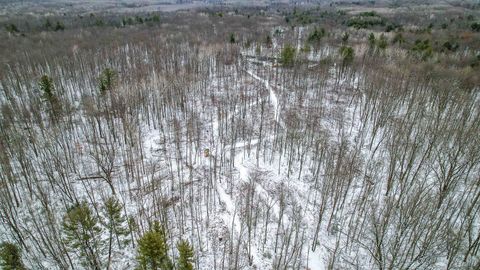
(153, 249)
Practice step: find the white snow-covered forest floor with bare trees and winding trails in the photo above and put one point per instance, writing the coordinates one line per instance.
(257, 165)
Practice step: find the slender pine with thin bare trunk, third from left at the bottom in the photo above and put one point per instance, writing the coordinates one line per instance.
(116, 223)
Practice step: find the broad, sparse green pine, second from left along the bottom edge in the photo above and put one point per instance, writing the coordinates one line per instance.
(82, 233)
